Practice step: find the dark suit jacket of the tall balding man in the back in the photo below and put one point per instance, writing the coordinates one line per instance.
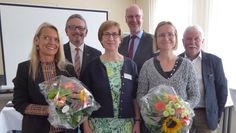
(143, 52)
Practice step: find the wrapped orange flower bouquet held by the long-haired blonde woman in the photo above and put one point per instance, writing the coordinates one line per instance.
(69, 101)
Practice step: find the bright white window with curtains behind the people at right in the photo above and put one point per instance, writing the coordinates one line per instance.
(217, 19)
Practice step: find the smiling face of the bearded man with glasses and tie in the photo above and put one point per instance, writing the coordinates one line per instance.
(76, 31)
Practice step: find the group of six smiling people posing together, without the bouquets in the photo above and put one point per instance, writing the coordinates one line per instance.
(124, 73)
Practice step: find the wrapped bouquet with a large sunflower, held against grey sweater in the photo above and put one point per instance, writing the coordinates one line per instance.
(165, 112)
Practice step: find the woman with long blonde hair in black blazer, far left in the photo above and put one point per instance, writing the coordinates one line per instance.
(46, 61)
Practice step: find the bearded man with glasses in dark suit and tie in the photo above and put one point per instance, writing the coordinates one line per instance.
(76, 30)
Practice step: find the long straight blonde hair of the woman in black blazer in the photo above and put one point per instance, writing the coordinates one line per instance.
(34, 56)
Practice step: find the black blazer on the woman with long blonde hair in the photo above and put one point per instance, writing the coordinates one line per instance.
(27, 91)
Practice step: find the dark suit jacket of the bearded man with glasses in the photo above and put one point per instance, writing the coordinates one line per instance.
(89, 54)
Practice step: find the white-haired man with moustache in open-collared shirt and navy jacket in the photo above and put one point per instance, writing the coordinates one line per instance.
(211, 79)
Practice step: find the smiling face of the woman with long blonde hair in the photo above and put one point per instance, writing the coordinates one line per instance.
(47, 42)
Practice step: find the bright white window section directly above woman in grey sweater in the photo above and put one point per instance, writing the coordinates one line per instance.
(176, 11)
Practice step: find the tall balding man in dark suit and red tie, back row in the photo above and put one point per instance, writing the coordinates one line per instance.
(143, 42)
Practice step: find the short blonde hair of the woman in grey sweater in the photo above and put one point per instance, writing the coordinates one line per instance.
(155, 48)
